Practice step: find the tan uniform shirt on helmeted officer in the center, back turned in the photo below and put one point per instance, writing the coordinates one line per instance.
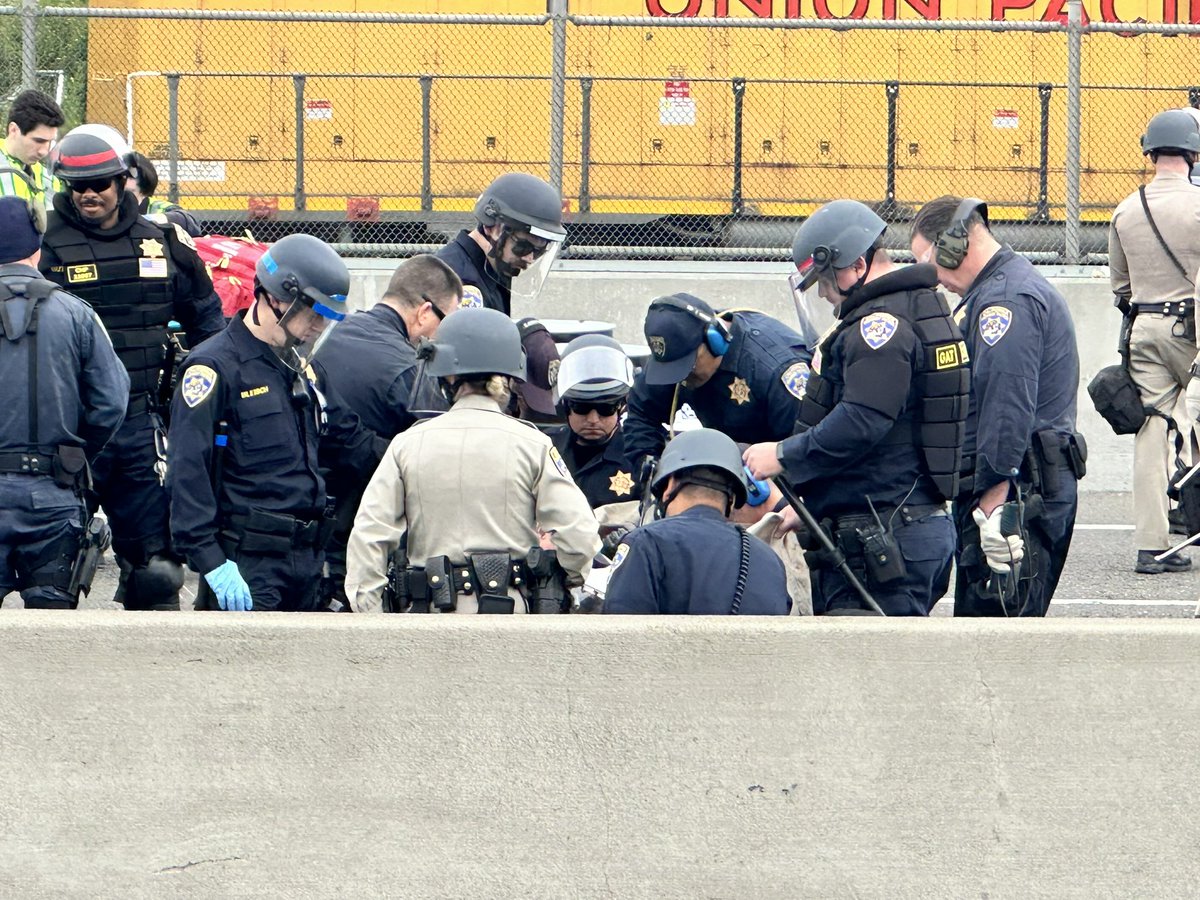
(471, 481)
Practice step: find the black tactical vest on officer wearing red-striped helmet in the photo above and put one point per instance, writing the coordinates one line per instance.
(129, 280)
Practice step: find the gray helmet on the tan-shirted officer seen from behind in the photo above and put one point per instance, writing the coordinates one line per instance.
(476, 343)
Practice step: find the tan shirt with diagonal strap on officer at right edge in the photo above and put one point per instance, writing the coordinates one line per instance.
(1139, 268)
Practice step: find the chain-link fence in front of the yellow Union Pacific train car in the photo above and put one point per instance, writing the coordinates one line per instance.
(671, 136)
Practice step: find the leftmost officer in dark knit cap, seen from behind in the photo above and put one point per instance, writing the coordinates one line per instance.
(67, 398)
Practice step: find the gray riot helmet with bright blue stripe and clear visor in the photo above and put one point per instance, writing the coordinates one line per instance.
(309, 278)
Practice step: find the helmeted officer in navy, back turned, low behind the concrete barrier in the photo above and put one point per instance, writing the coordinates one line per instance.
(694, 562)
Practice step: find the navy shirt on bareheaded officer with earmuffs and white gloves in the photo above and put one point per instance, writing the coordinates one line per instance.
(1024, 365)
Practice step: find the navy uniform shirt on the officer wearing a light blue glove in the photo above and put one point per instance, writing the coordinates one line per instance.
(269, 461)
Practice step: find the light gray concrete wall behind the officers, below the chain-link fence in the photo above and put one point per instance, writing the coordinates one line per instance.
(620, 292)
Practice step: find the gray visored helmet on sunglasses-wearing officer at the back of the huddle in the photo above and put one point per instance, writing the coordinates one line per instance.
(531, 212)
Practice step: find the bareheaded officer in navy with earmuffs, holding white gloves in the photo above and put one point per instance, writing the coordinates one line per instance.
(1022, 447)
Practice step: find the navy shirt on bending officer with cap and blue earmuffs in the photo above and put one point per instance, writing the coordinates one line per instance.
(754, 397)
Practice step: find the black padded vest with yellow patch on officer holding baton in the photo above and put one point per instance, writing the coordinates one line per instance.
(943, 382)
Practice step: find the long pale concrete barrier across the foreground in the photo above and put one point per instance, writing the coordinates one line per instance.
(160, 757)
